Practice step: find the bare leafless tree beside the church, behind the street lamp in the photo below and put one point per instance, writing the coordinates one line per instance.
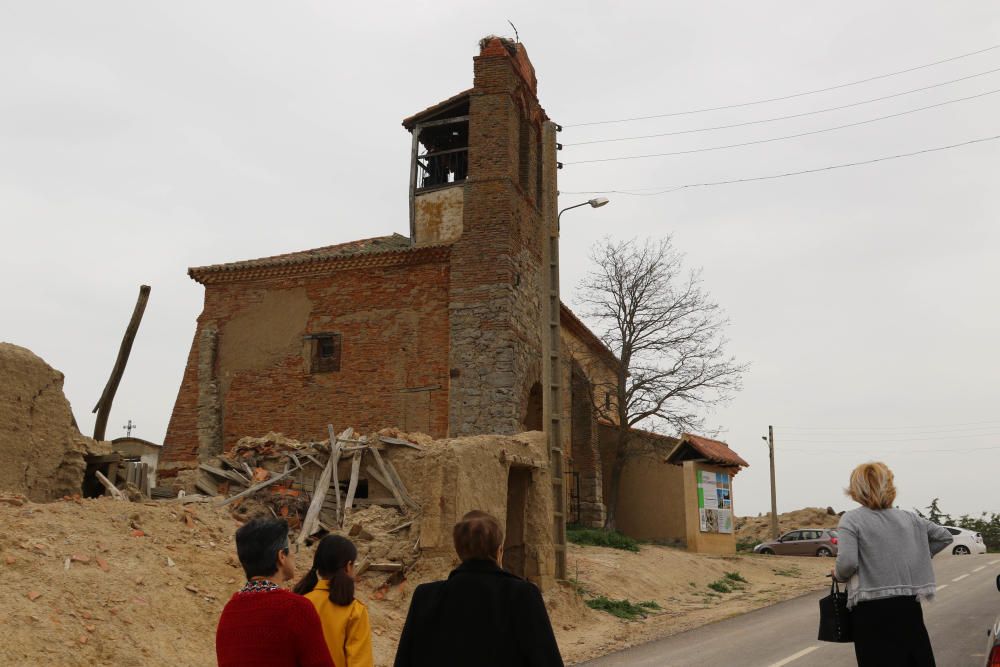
(669, 336)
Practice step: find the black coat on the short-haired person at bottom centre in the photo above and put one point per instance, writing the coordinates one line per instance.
(481, 616)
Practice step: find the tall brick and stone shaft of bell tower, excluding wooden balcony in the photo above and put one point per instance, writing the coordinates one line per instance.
(495, 308)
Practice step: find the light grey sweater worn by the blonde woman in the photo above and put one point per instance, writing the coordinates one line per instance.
(890, 551)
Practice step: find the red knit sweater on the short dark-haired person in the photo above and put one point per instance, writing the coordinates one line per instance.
(270, 628)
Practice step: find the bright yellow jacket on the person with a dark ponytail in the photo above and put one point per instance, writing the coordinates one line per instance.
(347, 631)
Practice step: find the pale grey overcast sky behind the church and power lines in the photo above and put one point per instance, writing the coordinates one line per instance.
(138, 139)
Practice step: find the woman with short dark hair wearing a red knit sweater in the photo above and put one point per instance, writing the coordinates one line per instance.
(263, 624)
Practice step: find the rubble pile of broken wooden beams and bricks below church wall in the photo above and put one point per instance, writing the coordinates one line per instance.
(347, 485)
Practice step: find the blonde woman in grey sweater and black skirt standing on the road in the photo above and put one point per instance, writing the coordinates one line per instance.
(886, 554)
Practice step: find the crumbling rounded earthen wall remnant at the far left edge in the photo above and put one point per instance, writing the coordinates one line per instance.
(41, 450)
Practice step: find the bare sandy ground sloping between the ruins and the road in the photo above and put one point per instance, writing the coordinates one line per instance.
(101, 582)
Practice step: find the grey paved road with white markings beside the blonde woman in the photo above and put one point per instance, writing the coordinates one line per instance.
(785, 634)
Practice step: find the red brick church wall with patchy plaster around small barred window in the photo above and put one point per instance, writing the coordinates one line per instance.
(248, 369)
